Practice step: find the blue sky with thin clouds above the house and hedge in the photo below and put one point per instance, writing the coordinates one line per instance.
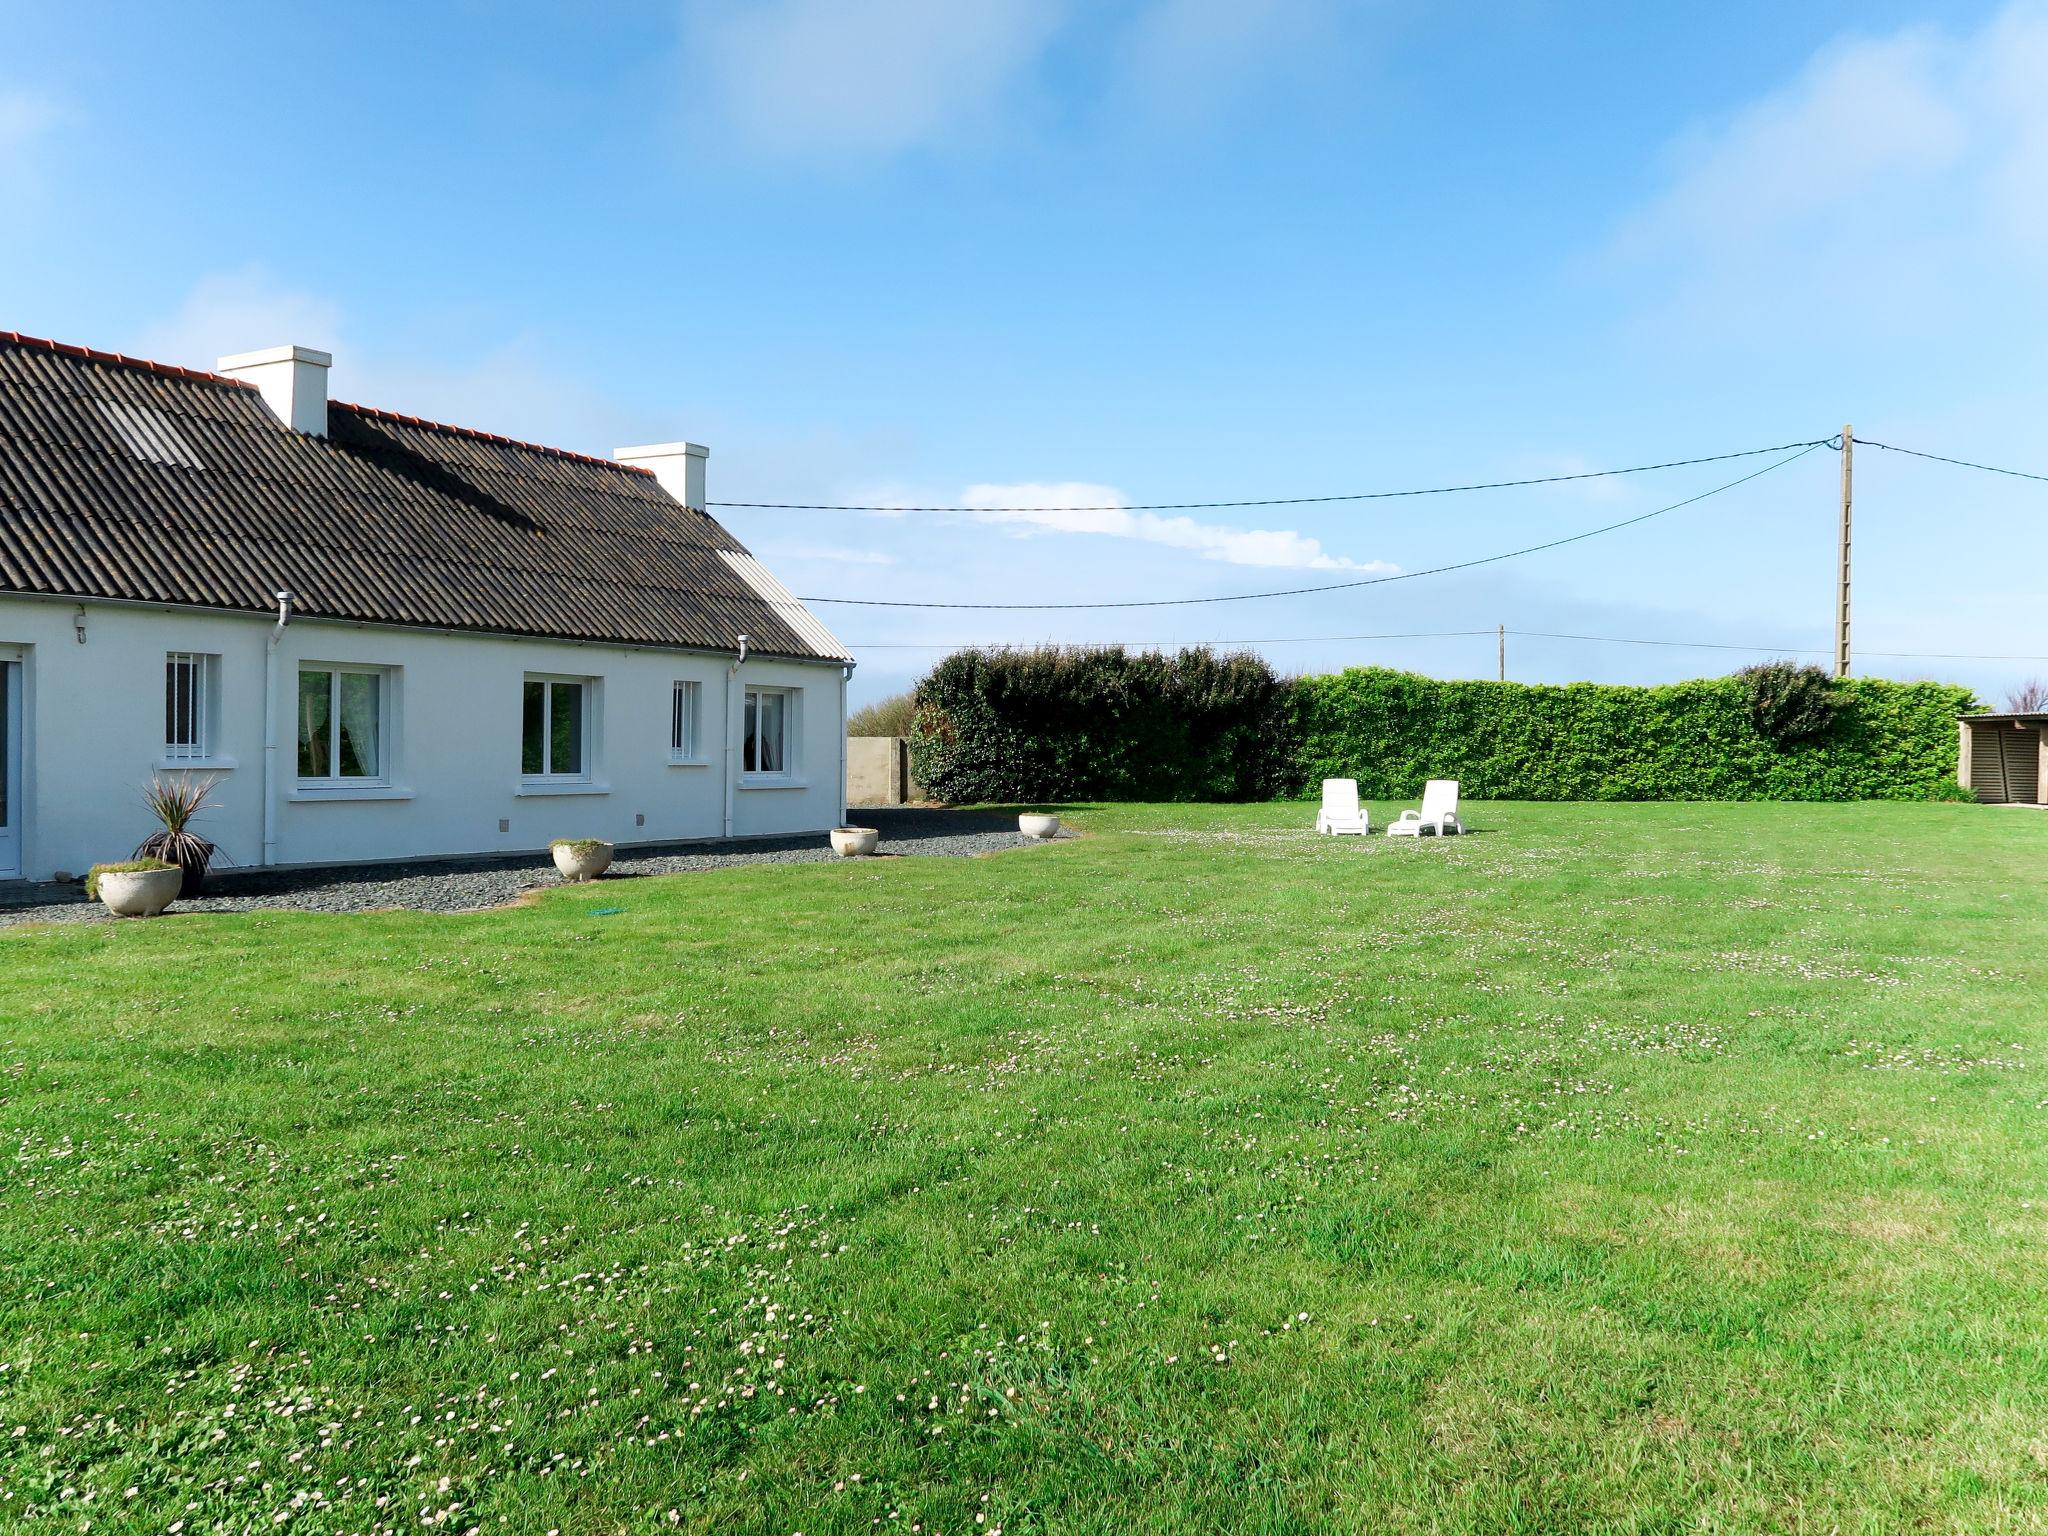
(1043, 253)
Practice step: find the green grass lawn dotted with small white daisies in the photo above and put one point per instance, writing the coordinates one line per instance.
(1654, 1168)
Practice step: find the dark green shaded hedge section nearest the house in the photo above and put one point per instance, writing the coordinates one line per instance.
(1101, 724)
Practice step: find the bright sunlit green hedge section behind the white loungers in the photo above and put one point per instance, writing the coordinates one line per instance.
(1594, 742)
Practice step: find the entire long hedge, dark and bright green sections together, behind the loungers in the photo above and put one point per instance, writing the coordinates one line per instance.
(1070, 724)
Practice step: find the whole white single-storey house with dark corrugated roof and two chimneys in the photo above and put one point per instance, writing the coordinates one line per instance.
(384, 638)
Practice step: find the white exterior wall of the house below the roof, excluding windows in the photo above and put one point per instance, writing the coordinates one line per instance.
(93, 732)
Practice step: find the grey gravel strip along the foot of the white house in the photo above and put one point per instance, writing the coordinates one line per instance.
(495, 882)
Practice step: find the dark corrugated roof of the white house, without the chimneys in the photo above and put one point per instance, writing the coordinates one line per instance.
(155, 484)
